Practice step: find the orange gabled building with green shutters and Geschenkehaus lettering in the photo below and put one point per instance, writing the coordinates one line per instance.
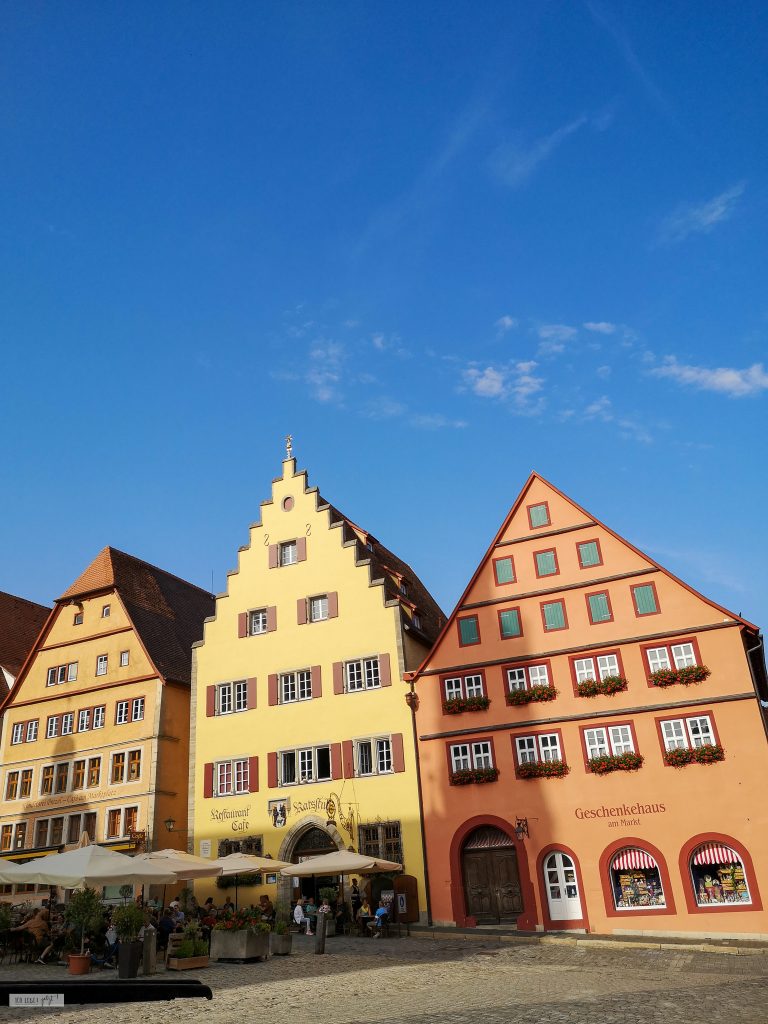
(592, 745)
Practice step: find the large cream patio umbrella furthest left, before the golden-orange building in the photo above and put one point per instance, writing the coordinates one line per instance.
(88, 866)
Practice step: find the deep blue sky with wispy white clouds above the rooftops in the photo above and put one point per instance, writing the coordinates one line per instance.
(442, 244)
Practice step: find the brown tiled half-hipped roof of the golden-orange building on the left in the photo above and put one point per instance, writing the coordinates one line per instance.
(167, 613)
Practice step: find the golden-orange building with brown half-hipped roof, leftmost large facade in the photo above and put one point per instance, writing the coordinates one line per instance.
(96, 730)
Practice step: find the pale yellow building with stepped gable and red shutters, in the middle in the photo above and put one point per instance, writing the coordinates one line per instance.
(303, 741)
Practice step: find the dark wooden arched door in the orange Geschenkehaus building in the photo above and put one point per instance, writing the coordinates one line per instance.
(492, 880)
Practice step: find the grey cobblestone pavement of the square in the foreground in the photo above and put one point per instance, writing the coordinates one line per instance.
(423, 982)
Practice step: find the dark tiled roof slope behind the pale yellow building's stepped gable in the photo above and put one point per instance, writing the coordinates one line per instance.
(387, 566)
